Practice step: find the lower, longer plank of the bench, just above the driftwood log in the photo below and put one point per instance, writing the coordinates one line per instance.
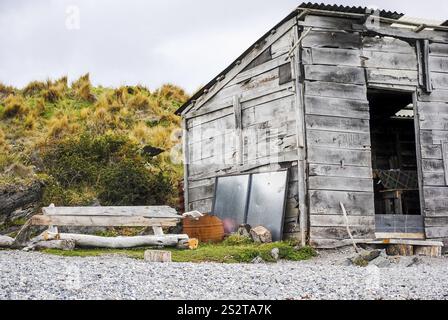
(101, 221)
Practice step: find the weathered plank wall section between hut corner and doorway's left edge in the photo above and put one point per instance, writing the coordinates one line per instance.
(337, 132)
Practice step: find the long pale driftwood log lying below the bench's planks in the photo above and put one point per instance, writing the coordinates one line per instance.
(88, 241)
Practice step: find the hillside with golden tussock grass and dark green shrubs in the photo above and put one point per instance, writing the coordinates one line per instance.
(87, 144)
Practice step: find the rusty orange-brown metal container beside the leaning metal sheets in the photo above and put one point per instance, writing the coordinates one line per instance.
(207, 229)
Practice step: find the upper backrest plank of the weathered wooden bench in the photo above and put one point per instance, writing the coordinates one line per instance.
(141, 211)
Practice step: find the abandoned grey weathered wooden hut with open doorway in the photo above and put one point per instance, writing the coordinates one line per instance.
(354, 104)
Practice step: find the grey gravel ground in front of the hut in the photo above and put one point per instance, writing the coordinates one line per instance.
(31, 275)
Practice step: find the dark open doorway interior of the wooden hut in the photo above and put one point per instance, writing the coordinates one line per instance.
(394, 159)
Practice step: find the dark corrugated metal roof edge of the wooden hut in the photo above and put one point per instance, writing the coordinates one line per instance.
(305, 5)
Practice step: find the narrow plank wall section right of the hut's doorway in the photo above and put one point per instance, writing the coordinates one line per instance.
(433, 116)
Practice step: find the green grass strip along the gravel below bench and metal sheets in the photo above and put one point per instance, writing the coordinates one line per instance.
(221, 253)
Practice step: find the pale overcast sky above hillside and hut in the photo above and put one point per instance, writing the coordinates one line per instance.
(186, 42)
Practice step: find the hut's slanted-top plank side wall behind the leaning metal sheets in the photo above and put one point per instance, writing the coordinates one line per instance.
(266, 99)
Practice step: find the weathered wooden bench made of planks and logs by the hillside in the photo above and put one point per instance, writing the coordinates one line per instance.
(156, 217)
